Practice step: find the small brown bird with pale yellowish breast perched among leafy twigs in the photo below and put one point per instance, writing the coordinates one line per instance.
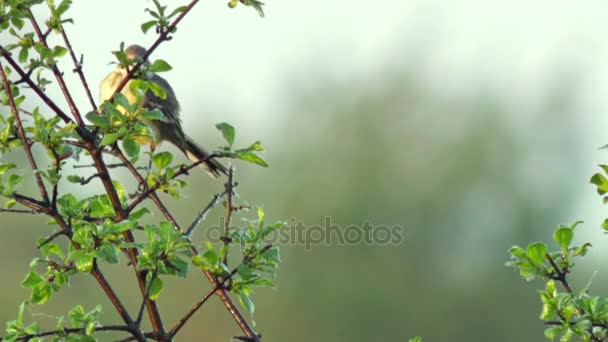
(169, 129)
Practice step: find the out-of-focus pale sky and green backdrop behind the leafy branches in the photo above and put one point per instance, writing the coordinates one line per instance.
(474, 125)
